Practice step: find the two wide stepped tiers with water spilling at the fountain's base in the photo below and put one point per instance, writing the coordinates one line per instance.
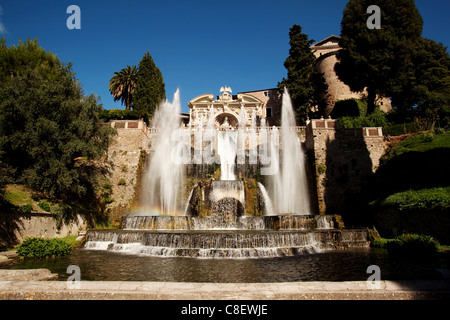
(252, 237)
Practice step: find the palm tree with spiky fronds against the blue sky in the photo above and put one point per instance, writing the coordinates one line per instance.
(122, 85)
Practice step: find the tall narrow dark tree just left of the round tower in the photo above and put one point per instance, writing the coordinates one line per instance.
(306, 85)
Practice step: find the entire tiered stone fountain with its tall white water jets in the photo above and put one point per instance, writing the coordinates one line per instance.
(234, 216)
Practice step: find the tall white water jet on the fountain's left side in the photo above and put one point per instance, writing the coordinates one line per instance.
(163, 178)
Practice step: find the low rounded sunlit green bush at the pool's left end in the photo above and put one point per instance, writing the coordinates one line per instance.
(41, 248)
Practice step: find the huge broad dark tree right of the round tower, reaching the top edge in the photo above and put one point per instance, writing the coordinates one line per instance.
(378, 59)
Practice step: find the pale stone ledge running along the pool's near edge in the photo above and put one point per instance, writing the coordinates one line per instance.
(131, 290)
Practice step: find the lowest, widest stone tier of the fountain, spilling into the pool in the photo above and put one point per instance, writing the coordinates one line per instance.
(225, 243)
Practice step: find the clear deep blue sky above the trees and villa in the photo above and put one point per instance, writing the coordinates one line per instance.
(198, 45)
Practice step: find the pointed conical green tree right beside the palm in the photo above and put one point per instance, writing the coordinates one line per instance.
(150, 87)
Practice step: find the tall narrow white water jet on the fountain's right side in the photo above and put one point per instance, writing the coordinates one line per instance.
(290, 183)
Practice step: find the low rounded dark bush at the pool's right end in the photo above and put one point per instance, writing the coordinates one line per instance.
(413, 246)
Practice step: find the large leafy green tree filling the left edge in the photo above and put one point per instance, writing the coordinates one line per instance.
(50, 133)
